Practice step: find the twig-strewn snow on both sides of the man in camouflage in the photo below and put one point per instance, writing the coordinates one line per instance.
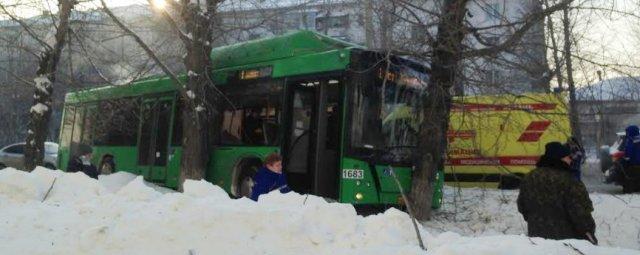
(484, 212)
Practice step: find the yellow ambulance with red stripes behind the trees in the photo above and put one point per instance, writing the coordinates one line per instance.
(494, 140)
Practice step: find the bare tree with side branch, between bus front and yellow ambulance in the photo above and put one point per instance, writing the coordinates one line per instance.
(446, 53)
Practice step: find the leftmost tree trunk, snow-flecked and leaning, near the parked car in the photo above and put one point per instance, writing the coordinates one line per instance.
(40, 112)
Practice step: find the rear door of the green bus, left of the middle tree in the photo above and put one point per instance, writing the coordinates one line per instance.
(153, 140)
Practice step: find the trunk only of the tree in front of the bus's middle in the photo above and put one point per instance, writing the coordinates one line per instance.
(199, 106)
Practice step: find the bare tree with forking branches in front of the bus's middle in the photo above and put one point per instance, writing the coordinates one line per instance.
(199, 111)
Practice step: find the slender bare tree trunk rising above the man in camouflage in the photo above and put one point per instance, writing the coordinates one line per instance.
(573, 110)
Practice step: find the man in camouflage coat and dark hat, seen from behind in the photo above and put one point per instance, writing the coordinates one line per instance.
(555, 204)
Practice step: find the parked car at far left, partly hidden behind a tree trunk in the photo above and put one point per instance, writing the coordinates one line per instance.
(13, 155)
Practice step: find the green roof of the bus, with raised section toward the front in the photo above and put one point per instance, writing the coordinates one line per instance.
(294, 53)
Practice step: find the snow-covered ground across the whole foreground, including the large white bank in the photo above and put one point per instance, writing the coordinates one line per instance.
(121, 214)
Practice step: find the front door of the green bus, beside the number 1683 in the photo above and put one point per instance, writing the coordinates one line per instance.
(311, 151)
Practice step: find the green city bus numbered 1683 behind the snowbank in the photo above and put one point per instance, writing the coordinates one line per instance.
(339, 114)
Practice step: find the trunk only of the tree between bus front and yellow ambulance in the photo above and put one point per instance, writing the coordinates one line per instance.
(436, 105)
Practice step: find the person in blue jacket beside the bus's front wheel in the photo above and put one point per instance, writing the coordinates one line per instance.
(270, 177)
